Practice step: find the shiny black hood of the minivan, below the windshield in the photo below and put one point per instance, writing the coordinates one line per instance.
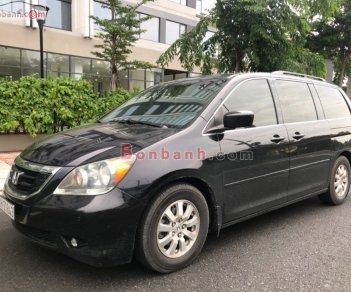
(93, 142)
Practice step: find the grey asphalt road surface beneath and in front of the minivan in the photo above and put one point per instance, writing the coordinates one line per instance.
(304, 247)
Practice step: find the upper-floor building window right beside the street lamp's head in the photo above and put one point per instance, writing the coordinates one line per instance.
(59, 15)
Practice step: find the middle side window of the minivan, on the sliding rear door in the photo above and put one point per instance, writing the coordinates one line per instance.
(296, 101)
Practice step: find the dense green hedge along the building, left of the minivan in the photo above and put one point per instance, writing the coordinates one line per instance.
(32, 105)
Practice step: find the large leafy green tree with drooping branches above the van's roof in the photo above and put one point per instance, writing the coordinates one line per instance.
(253, 35)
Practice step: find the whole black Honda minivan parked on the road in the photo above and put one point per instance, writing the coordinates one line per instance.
(154, 176)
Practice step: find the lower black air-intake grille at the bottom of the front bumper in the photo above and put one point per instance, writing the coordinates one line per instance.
(39, 236)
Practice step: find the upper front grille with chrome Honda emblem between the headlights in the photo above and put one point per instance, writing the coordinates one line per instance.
(28, 182)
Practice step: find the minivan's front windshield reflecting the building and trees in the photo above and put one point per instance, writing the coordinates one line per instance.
(173, 105)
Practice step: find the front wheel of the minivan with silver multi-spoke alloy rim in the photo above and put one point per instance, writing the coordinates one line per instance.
(164, 241)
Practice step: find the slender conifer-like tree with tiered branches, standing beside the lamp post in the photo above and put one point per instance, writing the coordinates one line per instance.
(118, 34)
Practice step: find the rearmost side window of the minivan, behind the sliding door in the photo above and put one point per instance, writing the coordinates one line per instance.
(333, 102)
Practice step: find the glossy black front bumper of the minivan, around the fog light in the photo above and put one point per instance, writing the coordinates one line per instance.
(103, 226)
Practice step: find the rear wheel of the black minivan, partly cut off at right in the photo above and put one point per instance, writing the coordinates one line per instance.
(339, 184)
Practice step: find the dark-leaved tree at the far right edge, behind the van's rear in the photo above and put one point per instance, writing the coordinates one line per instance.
(333, 39)
